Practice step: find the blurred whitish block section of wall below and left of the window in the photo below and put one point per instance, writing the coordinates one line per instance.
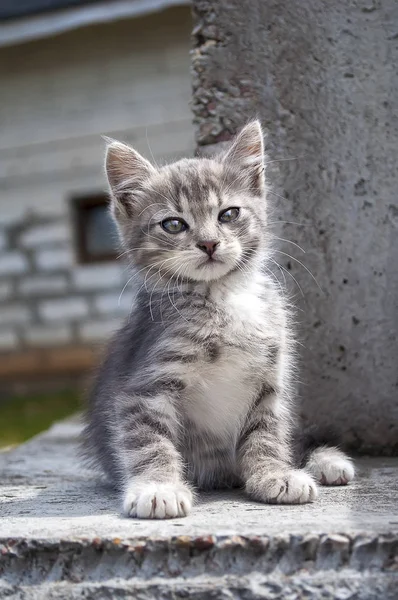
(47, 299)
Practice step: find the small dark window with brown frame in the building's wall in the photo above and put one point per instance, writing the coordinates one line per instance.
(95, 232)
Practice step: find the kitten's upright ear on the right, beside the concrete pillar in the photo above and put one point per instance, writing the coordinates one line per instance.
(247, 155)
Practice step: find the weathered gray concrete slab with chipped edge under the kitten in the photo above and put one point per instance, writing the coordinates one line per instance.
(61, 536)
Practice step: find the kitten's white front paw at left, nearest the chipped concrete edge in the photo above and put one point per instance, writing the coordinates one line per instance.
(157, 501)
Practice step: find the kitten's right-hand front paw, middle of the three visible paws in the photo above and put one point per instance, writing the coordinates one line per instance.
(289, 487)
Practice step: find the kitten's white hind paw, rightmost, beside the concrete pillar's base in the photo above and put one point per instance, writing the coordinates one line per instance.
(330, 466)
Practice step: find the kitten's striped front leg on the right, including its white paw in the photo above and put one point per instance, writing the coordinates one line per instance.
(264, 456)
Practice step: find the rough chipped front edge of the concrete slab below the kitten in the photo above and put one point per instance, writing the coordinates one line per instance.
(91, 559)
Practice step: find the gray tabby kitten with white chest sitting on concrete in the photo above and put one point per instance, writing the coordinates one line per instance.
(196, 388)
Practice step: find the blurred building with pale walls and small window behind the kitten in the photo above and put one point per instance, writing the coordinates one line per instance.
(66, 77)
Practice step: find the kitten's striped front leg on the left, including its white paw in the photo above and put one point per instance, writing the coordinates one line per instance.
(154, 486)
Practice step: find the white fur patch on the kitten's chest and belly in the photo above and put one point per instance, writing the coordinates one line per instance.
(221, 391)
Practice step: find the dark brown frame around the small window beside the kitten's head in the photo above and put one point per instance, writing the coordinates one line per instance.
(81, 206)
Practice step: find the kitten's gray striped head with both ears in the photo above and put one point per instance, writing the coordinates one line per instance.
(197, 219)
